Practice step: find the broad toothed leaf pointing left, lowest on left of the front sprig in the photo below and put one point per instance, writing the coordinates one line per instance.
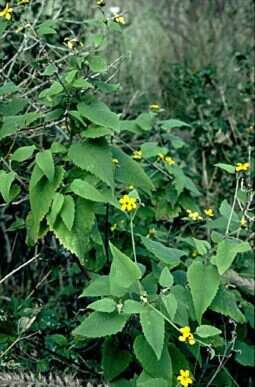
(99, 324)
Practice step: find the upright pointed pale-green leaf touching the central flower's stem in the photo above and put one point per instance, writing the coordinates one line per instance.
(124, 272)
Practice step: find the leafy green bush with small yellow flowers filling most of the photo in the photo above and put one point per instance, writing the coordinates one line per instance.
(173, 261)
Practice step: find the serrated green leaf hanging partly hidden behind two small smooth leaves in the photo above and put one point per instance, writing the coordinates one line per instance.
(77, 240)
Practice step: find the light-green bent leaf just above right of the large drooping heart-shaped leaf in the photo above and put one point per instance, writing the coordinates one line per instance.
(227, 251)
